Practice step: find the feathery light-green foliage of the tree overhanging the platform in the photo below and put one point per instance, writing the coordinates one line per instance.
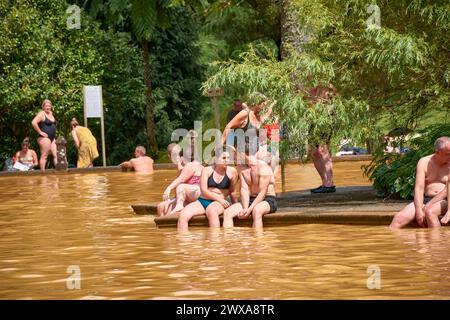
(386, 77)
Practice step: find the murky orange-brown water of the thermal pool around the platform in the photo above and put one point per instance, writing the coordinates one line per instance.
(50, 223)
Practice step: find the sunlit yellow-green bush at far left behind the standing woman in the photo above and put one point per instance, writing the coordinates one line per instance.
(40, 58)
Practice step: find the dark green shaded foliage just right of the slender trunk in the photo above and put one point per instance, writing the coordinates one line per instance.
(177, 75)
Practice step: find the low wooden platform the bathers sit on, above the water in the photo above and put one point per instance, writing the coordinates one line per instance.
(349, 205)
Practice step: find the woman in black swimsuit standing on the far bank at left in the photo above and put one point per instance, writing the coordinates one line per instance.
(45, 125)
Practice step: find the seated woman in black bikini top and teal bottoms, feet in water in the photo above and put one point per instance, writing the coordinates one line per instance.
(213, 194)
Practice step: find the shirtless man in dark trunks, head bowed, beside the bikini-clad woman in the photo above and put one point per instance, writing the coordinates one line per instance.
(257, 194)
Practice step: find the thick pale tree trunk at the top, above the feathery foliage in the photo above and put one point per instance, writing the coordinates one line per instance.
(292, 33)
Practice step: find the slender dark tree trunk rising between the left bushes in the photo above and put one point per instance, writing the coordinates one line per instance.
(151, 138)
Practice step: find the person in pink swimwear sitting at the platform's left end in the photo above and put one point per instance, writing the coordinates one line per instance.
(186, 185)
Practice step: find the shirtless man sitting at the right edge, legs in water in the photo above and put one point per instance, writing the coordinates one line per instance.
(430, 190)
